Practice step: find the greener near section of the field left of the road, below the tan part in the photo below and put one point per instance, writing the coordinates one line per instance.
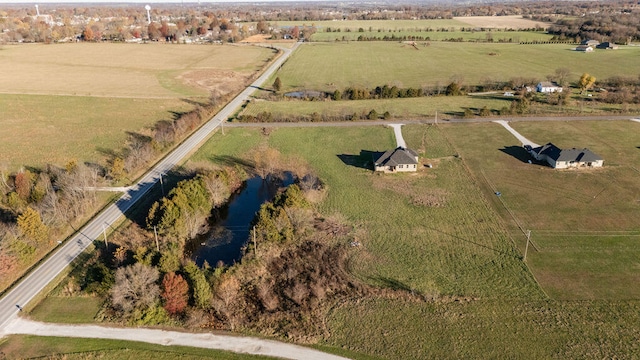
(42, 129)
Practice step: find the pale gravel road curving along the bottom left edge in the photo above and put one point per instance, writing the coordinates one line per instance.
(238, 344)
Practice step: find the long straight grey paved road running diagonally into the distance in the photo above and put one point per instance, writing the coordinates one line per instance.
(25, 290)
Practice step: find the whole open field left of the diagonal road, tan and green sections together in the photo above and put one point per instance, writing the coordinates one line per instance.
(76, 101)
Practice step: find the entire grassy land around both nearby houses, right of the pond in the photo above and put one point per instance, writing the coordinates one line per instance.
(443, 234)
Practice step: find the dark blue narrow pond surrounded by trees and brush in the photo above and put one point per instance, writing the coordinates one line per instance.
(230, 230)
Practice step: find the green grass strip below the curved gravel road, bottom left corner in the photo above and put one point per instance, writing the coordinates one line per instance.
(29, 347)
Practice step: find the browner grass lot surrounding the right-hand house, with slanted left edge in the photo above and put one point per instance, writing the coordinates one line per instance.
(584, 223)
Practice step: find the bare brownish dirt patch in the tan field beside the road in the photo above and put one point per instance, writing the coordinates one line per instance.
(221, 81)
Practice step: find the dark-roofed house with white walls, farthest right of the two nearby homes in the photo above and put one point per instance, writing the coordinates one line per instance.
(565, 158)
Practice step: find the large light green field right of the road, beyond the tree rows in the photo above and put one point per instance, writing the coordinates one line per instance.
(371, 64)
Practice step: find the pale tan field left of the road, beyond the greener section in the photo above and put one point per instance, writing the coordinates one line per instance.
(123, 70)
